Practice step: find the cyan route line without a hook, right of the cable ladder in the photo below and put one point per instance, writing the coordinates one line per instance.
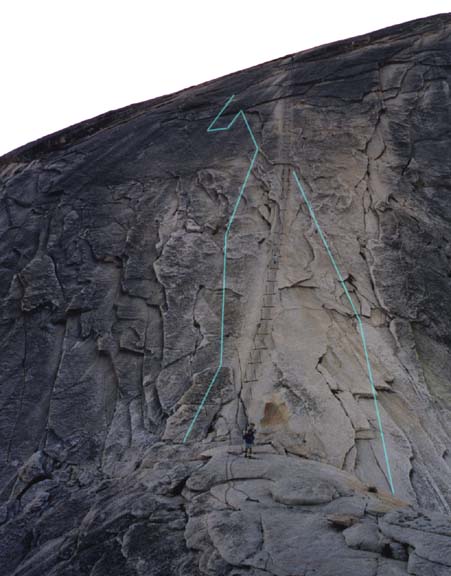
(359, 322)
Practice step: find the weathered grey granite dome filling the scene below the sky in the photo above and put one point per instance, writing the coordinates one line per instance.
(112, 234)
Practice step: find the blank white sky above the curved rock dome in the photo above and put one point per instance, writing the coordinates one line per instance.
(64, 61)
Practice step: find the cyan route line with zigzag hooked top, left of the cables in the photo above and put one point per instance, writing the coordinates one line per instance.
(226, 237)
